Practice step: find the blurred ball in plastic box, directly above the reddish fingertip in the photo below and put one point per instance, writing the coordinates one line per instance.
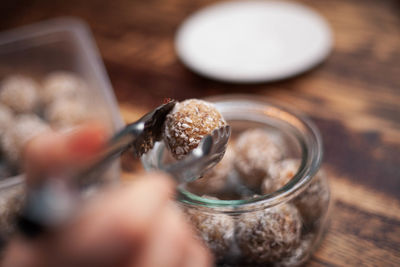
(64, 113)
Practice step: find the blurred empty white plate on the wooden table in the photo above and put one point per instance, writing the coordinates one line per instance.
(253, 41)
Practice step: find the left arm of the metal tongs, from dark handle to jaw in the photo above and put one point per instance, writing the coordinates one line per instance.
(55, 199)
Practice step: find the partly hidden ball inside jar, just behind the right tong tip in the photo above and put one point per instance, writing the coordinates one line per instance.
(215, 179)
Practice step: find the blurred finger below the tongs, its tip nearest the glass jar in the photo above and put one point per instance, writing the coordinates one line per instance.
(109, 232)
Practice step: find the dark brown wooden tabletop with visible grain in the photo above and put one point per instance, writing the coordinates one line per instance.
(354, 98)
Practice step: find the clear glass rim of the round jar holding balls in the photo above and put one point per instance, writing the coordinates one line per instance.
(312, 154)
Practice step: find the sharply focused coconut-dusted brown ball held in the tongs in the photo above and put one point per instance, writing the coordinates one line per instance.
(188, 123)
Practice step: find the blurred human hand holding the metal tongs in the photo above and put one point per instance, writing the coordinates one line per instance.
(134, 225)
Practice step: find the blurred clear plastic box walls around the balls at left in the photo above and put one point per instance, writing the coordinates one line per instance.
(64, 44)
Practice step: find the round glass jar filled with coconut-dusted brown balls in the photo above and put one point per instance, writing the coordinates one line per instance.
(252, 224)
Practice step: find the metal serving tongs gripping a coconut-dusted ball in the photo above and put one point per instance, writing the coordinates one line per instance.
(54, 201)
